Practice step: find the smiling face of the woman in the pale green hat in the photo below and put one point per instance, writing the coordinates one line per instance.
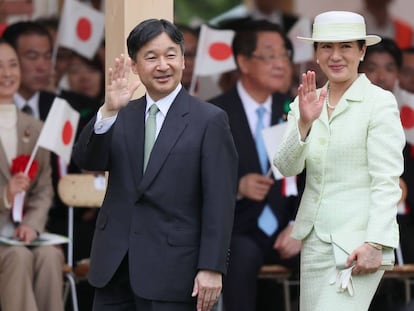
(339, 60)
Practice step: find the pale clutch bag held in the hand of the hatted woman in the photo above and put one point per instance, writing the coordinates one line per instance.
(344, 243)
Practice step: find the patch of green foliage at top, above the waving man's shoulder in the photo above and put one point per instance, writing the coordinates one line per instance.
(187, 10)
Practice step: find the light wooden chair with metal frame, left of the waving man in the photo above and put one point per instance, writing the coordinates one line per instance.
(78, 191)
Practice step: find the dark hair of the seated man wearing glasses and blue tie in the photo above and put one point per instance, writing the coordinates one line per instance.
(245, 39)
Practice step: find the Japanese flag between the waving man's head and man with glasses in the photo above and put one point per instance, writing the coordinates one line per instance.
(214, 53)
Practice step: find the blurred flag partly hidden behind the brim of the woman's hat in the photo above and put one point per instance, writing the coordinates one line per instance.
(303, 51)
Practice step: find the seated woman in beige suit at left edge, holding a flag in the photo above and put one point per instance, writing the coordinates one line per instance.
(30, 278)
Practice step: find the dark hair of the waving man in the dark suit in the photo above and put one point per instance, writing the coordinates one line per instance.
(148, 30)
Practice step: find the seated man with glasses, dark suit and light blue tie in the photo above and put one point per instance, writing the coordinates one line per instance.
(263, 57)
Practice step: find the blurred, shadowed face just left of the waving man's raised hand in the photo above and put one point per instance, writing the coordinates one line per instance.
(84, 78)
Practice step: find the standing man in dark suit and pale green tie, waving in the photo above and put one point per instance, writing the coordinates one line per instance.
(163, 232)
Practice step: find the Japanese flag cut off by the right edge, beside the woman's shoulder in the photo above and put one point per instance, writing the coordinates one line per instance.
(406, 105)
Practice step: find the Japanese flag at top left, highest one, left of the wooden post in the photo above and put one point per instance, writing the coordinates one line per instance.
(81, 28)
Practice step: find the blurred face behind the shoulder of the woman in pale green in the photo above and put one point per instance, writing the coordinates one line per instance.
(381, 69)
